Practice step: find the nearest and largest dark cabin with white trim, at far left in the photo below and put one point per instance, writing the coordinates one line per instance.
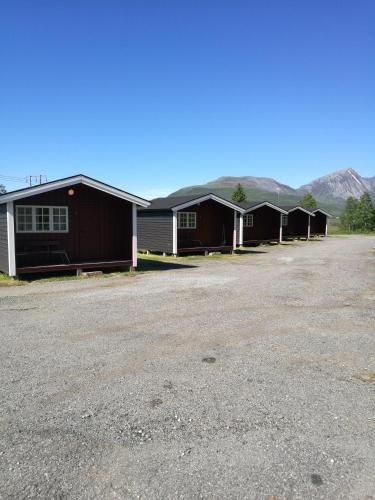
(73, 223)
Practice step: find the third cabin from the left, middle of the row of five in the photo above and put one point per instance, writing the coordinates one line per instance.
(260, 222)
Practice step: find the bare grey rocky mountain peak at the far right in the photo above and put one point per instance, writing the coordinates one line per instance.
(340, 185)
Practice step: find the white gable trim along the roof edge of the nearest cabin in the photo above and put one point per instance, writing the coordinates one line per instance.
(71, 181)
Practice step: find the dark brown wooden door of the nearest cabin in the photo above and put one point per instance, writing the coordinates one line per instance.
(89, 232)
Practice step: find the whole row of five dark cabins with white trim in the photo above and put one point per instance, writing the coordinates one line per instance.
(80, 223)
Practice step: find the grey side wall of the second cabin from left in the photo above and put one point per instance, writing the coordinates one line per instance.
(155, 230)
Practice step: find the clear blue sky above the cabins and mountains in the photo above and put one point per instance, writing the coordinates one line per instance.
(153, 95)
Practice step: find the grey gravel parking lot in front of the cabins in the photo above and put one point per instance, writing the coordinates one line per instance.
(241, 377)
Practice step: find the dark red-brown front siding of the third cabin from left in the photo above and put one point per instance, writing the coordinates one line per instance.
(266, 225)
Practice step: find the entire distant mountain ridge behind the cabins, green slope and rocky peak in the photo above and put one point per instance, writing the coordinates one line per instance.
(330, 191)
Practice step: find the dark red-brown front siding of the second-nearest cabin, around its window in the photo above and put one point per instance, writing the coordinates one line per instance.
(213, 220)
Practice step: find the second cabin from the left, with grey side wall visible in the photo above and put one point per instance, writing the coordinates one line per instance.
(188, 224)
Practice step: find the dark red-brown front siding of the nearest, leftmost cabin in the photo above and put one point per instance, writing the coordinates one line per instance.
(100, 225)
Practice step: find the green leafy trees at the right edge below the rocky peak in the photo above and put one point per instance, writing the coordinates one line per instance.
(358, 215)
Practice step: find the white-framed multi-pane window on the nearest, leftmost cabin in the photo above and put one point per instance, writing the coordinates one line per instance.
(36, 219)
